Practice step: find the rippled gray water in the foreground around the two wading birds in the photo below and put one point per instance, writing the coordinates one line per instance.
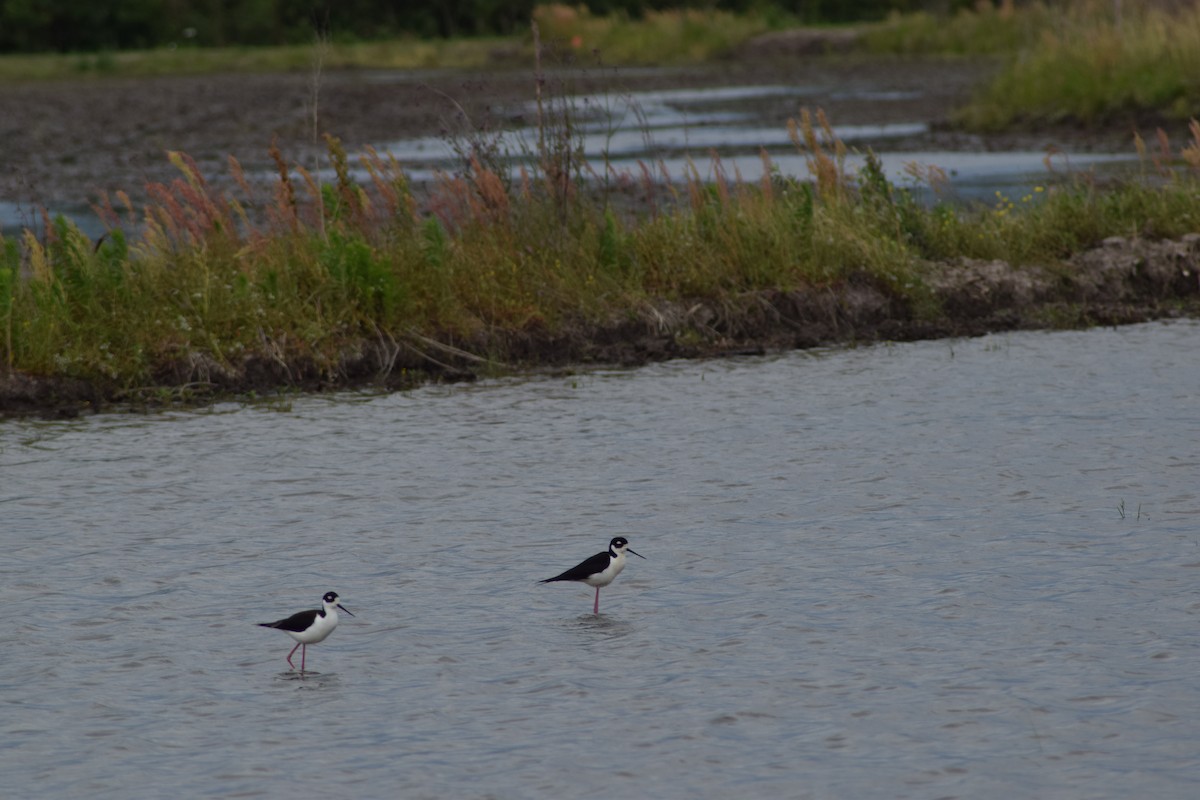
(958, 569)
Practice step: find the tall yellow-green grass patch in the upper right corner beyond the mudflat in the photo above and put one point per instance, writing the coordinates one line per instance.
(1065, 63)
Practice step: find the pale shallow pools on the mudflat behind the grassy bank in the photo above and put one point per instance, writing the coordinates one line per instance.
(677, 131)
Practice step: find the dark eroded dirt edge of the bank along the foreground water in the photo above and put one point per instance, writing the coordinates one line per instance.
(1121, 282)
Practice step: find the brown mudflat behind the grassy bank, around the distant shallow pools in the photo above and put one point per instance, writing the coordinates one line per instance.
(68, 141)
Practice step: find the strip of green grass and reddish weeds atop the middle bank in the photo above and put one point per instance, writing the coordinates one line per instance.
(317, 270)
